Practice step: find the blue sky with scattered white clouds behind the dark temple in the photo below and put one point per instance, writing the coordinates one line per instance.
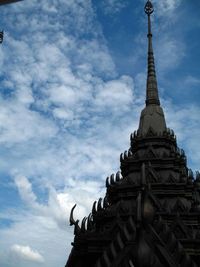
(72, 85)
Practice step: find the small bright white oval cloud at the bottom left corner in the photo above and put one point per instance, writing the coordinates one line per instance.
(26, 253)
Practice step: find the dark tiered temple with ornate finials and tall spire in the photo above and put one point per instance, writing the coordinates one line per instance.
(150, 216)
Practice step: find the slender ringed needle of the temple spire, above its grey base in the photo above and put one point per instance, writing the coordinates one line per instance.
(151, 87)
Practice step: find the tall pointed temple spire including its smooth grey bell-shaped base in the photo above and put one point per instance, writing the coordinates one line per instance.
(152, 116)
